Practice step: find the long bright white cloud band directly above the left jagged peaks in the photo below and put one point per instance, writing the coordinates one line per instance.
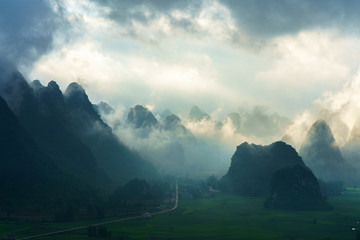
(115, 77)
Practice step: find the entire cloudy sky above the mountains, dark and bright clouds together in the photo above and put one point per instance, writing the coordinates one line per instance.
(218, 54)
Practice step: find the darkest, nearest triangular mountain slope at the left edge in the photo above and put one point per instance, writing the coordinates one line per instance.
(28, 177)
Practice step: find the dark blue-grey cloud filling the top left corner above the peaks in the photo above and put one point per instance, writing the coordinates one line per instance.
(26, 29)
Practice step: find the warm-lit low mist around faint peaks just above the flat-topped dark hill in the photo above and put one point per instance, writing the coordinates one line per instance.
(254, 124)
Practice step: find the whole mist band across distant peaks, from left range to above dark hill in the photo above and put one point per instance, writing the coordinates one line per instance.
(191, 145)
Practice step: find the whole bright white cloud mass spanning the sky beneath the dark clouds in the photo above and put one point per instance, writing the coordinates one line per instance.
(185, 58)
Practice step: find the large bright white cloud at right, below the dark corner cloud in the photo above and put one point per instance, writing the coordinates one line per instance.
(302, 67)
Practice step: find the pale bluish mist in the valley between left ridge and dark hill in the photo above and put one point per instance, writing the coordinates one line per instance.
(173, 152)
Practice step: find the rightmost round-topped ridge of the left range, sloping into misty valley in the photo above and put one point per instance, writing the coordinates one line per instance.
(119, 162)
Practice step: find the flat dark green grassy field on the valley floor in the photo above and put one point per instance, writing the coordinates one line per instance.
(232, 217)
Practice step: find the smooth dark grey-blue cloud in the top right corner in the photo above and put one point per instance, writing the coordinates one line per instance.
(270, 18)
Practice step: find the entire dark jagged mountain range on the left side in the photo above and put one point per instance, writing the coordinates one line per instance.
(52, 139)
